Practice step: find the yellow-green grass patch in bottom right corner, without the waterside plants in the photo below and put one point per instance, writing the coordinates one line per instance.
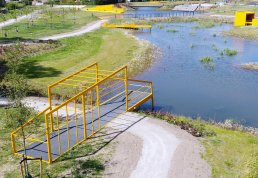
(231, 153)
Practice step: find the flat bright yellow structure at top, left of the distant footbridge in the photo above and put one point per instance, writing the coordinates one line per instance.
(107, 9)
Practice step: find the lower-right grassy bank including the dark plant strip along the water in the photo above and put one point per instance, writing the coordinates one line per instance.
(230, 152)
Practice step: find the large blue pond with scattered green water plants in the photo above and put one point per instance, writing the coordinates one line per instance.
(184, 85)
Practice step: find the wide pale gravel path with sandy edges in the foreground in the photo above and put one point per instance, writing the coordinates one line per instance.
(154, 149)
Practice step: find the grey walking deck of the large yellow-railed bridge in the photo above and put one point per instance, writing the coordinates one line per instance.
(108, 112)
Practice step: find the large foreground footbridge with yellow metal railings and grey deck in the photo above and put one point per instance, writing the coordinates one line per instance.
(100, 96)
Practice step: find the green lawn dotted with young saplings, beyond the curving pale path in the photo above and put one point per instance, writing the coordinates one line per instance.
(51, 21)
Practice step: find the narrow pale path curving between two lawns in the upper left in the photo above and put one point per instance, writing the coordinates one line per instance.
(85, 29)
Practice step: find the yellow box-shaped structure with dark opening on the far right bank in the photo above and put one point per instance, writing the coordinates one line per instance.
(245, 18)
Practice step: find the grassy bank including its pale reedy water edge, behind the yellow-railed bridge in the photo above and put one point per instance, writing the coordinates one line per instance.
(111, 48)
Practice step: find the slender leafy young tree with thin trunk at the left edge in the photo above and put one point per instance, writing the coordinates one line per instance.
(16, 88)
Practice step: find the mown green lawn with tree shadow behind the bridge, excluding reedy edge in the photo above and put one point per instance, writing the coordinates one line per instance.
(110, 48)
